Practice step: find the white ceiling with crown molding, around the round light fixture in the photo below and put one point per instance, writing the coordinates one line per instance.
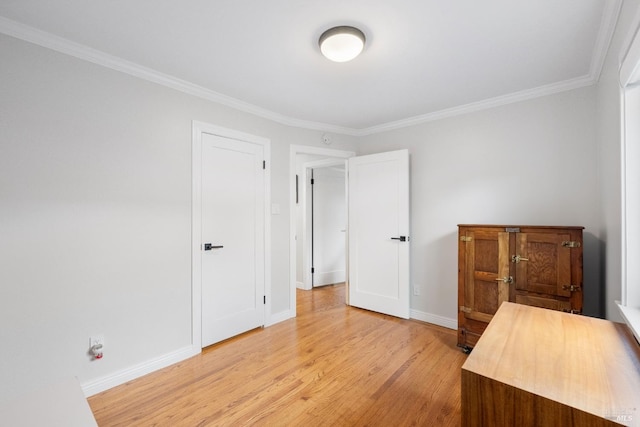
(423, 59)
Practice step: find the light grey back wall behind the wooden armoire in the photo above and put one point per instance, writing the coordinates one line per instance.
(534, 162)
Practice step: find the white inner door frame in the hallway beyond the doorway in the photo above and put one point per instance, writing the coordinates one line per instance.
(307, 228)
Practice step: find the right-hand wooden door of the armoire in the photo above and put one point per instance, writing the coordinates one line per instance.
(543, 264)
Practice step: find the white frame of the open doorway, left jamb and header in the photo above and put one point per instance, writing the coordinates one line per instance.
(294, 150)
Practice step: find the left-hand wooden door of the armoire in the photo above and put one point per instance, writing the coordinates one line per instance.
(486, 273)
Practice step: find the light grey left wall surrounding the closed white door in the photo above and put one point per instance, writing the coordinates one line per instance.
(95, 208)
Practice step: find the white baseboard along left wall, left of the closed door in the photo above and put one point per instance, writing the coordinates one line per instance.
(101, 384)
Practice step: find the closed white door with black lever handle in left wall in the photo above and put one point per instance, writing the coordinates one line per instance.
(232, 250)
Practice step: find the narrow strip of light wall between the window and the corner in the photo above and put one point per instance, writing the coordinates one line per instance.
(608, 118)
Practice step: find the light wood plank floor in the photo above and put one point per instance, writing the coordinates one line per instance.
(331, 366)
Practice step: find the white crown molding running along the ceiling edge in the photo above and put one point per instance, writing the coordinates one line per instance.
(48, 40)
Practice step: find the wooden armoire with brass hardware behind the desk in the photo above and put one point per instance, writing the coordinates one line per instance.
(534, 265)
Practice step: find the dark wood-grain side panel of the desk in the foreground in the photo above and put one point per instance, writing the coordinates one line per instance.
(489, 403)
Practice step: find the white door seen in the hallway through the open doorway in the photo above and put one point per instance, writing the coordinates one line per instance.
(329, 225)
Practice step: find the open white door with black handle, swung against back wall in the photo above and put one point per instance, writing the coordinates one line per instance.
(379, 232)
